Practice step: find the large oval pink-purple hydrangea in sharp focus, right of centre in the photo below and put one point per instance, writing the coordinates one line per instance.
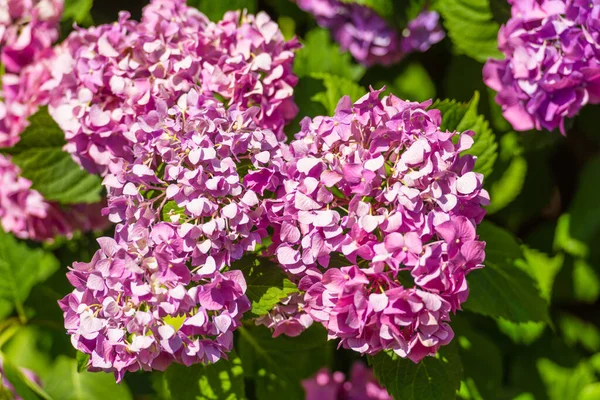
(381, 191)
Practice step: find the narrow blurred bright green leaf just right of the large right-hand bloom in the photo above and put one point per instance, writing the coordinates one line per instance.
(507, 187)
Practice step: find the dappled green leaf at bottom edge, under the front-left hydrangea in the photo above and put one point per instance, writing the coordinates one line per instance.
(223, 380)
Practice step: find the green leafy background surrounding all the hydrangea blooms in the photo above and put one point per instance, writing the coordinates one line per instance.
(530, 329)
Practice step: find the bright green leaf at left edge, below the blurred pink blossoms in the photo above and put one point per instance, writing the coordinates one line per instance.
(20, 269)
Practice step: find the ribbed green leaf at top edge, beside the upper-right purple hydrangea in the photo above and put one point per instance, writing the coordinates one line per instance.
(471, 27)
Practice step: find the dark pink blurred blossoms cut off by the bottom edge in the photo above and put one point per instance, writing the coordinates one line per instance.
(362, 385)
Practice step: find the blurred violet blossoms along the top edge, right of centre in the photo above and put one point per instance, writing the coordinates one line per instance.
(367, 36)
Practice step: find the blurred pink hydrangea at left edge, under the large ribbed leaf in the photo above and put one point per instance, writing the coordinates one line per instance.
(25, 213)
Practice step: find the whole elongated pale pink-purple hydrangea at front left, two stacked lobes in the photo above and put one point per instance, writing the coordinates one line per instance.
(187, 206)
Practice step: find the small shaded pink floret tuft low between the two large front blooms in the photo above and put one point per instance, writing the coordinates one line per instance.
(287, 317)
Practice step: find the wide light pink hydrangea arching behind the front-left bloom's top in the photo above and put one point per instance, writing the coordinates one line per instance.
(110, 74)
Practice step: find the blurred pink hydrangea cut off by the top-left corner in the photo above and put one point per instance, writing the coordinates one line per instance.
(27, 30)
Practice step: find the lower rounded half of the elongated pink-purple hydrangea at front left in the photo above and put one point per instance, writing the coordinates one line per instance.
(132, 309)
